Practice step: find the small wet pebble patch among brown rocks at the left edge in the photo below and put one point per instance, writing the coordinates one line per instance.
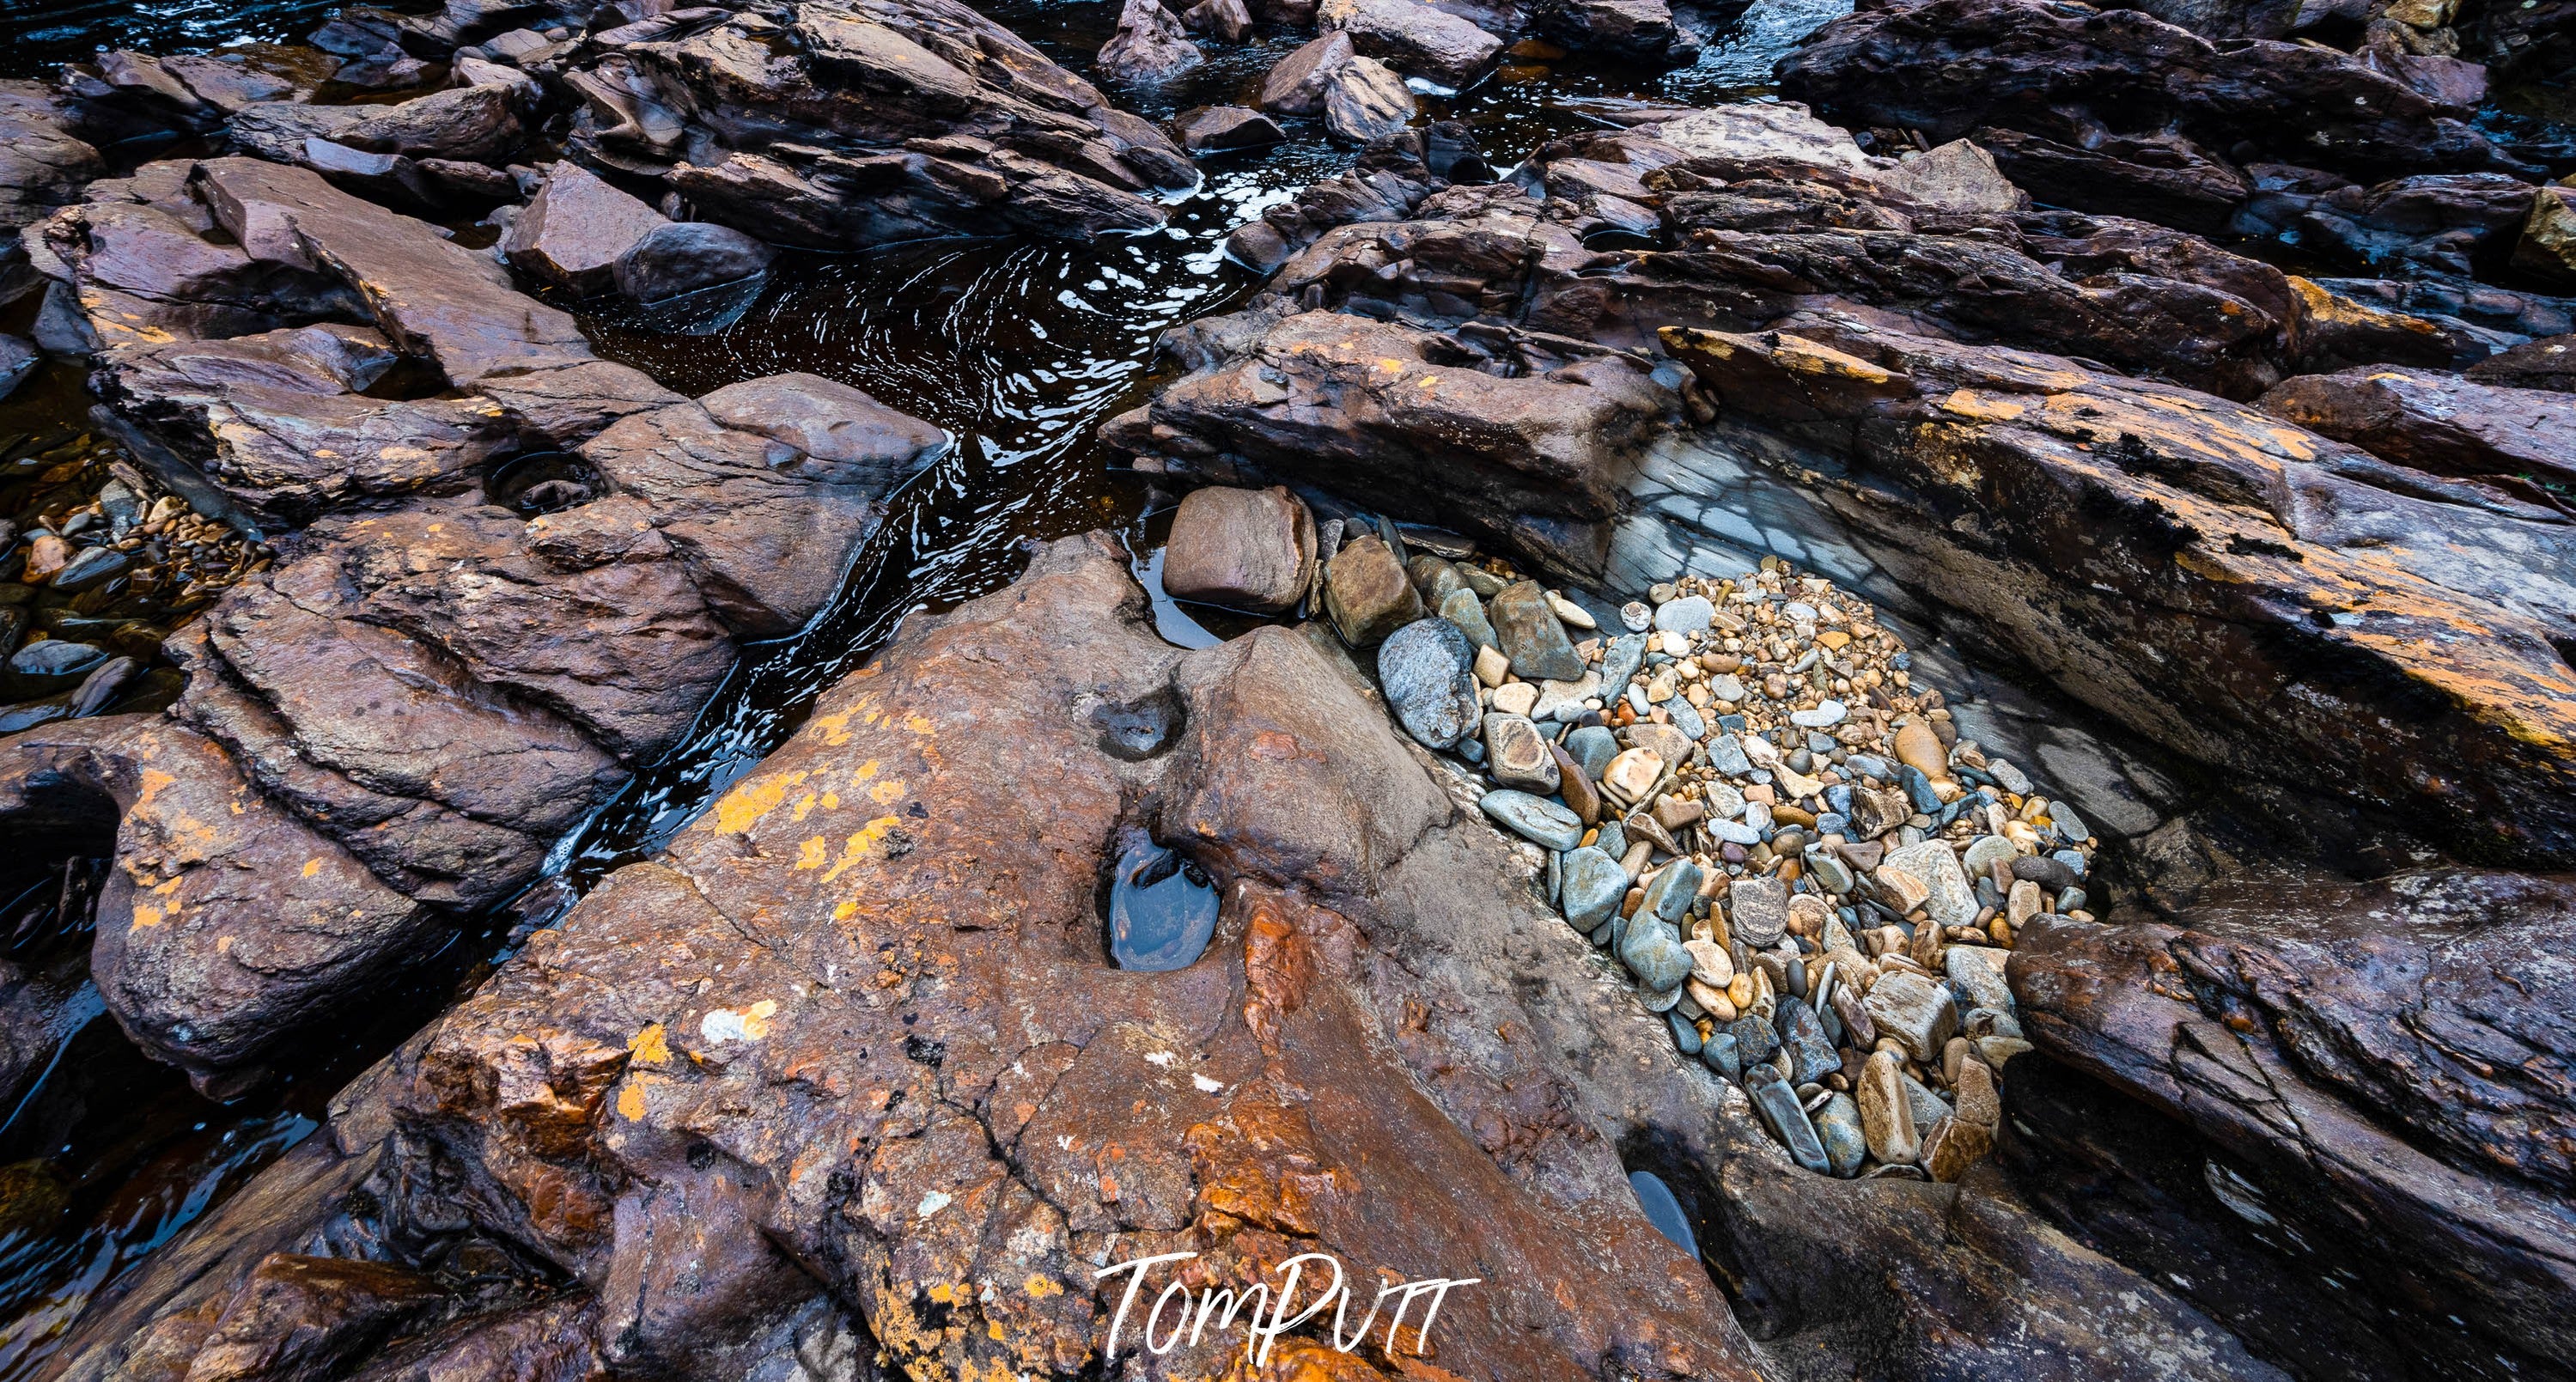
(97, 567)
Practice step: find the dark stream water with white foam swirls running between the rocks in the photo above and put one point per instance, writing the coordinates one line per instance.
(1016, 349)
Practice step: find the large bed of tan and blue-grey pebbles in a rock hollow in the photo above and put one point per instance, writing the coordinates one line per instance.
(1779, 835)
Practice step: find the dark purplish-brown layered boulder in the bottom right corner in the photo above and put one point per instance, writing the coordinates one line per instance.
(2376, 1080)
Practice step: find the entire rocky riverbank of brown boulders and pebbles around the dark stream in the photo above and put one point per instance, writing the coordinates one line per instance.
(1567, 812)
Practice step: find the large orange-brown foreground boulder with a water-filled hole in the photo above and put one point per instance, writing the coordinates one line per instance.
(854, 1044)
